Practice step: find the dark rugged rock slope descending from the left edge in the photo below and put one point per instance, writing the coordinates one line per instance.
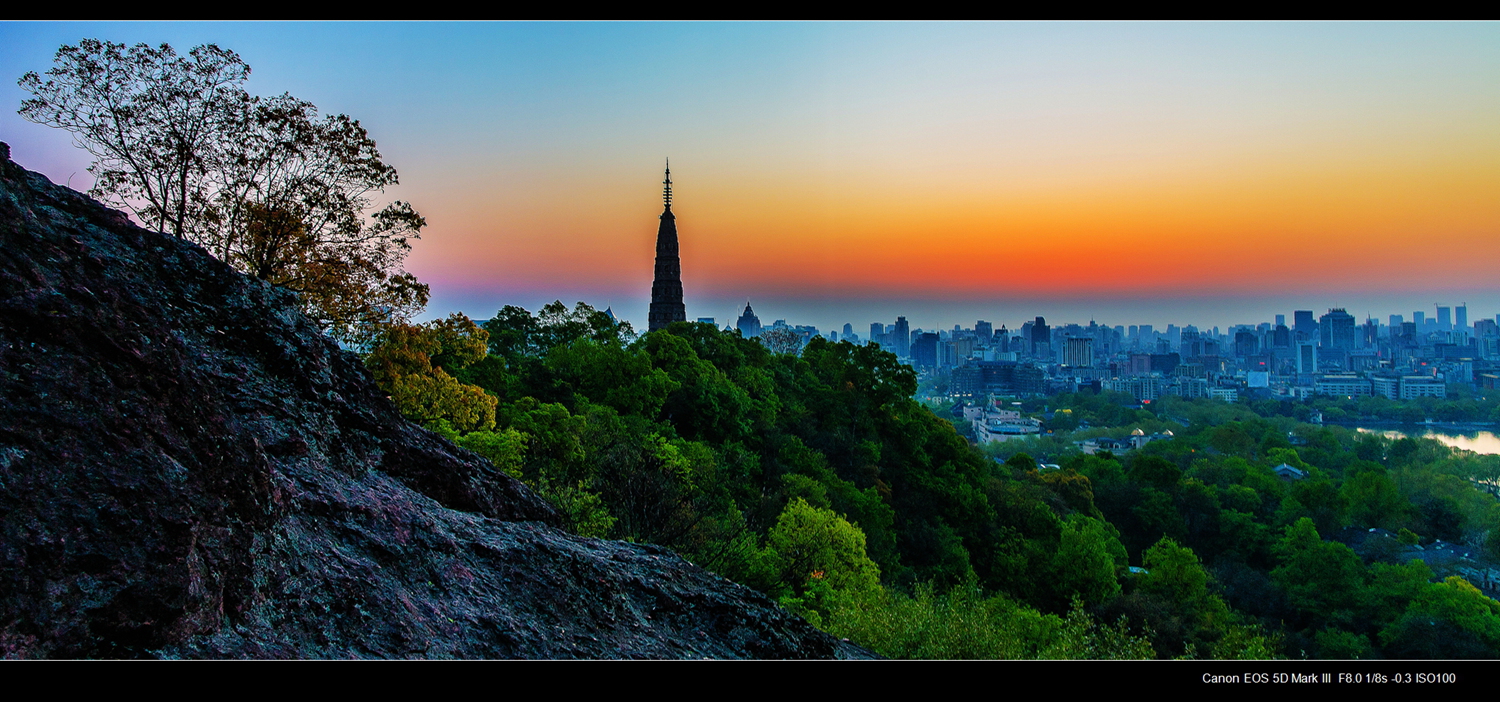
(190, 469)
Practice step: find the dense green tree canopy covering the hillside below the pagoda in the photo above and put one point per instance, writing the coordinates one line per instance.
(815, 478)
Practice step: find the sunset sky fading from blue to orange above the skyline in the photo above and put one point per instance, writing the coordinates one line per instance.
(835, 173)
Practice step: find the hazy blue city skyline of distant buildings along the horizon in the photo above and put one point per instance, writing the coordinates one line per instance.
(1330, 355)
